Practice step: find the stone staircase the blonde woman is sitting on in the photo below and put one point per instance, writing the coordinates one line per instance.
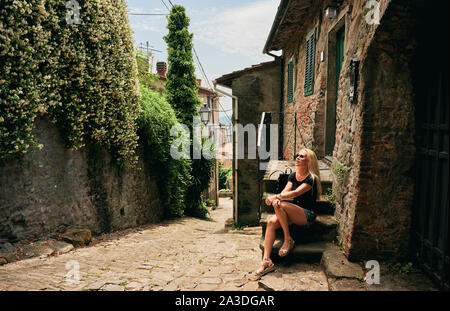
(310, 242)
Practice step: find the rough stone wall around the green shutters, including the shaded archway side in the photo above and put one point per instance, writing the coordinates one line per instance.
(374, 147)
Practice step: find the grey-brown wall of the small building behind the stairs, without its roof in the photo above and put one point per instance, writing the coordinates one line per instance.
(258, 91)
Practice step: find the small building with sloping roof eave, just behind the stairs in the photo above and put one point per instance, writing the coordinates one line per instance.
(256, 93)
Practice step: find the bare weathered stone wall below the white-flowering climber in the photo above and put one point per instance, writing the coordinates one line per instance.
(54, 188)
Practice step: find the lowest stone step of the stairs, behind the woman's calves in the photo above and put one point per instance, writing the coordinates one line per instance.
(307, 252)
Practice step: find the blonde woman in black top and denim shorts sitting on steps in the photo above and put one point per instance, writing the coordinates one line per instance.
(304, 188)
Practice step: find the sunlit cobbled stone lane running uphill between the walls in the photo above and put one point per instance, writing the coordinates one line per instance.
(181, 254)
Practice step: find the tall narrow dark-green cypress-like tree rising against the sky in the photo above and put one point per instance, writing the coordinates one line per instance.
(181, 87)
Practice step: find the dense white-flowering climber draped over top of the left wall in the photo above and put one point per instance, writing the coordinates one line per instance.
(82, 76)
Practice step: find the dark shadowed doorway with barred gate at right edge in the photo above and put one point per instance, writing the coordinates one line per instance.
(430, 215)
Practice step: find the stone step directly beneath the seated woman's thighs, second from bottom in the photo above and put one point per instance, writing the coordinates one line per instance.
(324, 228)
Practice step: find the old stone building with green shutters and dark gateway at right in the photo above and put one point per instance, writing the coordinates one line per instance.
(365, 85)
